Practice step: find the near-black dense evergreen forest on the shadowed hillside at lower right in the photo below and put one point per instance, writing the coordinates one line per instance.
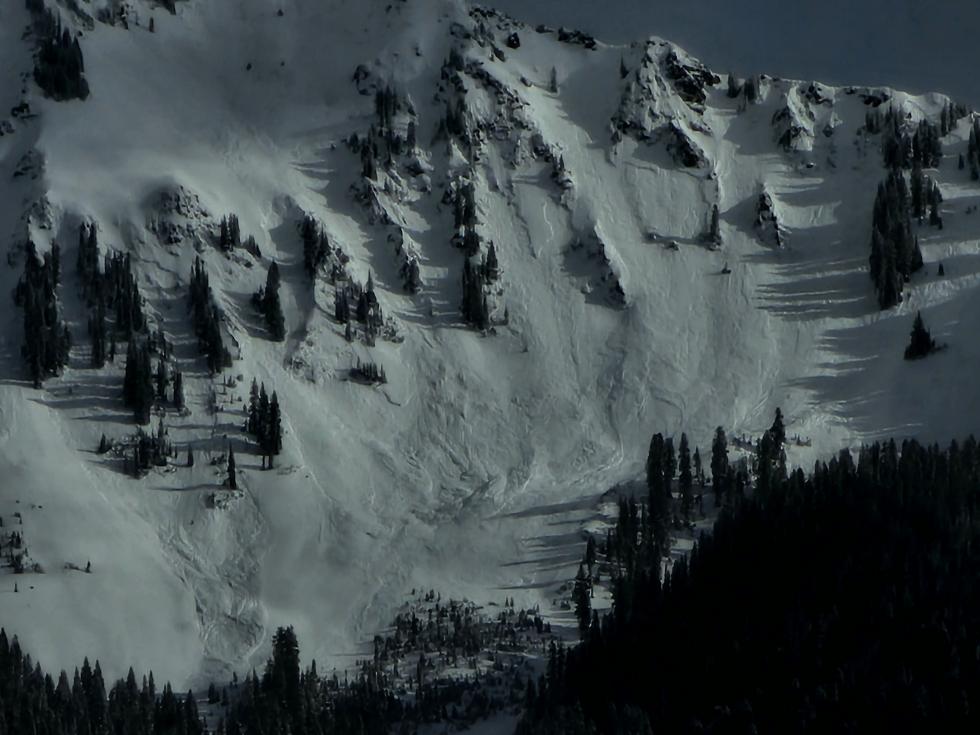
(848, 601)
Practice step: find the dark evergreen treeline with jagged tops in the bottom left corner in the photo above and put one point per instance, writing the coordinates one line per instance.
(282, 699)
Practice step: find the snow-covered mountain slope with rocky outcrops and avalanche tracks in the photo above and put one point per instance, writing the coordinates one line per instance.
(473, 468)
